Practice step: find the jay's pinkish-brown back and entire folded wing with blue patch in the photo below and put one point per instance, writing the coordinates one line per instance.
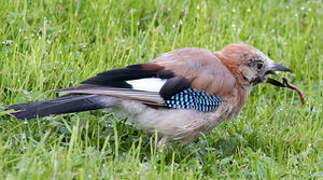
(184, 78)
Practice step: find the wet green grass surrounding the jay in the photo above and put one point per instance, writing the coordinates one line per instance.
(47, 45)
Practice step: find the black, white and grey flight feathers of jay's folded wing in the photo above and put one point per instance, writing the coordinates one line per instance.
(140, 82)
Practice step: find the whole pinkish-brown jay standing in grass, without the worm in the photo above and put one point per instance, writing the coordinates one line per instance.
(180, 94)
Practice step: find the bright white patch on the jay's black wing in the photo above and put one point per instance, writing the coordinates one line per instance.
(147, 84)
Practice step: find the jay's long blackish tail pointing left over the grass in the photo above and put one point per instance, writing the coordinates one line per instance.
(64, 104)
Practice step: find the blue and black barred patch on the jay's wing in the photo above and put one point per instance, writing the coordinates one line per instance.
(194, 99)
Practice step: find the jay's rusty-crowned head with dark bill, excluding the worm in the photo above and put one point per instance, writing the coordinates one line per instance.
(249, 65)
